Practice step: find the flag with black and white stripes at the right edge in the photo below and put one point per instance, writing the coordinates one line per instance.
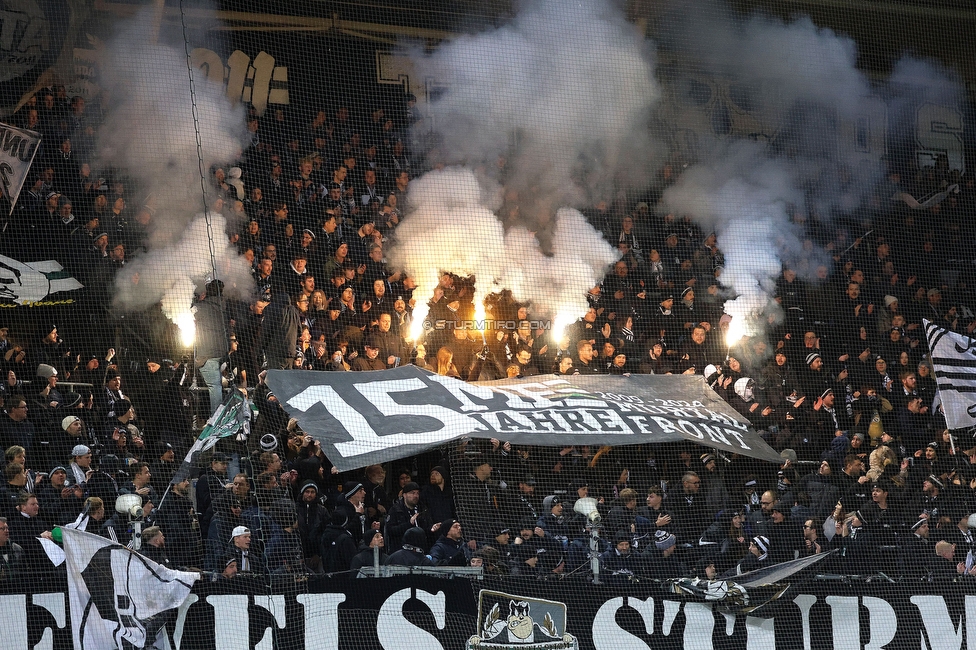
(954, 365)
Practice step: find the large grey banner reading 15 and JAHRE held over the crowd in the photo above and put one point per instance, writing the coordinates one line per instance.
(380, 416)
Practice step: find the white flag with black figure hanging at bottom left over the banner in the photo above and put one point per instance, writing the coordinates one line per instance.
(114, 591)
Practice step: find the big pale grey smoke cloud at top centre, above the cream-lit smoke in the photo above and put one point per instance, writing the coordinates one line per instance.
(562, 94)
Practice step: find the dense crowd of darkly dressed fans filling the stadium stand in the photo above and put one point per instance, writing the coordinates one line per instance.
(837, 379)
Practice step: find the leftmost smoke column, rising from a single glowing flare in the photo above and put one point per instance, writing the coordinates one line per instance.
(150, 133)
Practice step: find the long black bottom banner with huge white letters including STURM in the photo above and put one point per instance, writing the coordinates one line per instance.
(434, 613)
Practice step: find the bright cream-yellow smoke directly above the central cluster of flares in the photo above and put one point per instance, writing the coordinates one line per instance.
(454, 228)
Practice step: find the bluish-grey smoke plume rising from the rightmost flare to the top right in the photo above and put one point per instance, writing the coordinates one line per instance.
(811, 89)
